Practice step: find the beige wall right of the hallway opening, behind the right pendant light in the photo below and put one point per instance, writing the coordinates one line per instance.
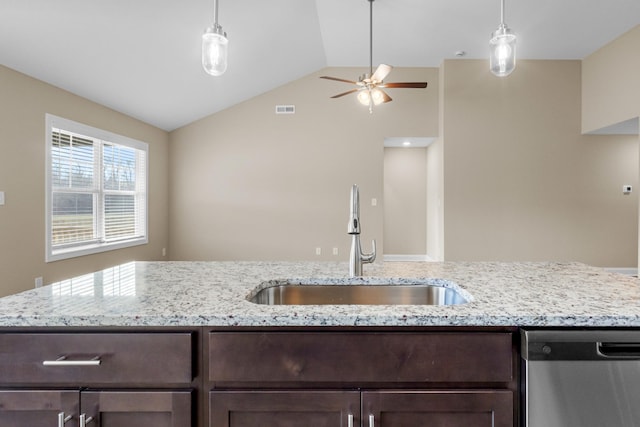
(521, 182)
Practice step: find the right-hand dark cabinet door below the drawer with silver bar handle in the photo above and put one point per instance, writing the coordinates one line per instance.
(136, 408)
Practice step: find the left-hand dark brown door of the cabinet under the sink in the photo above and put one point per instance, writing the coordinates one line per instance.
(284, 408)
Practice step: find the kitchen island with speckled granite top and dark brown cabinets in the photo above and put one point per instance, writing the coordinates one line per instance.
(179, 344)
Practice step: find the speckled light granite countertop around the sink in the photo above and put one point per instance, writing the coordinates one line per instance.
(215, 294)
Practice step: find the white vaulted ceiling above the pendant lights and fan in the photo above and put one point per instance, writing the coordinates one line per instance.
(142, 57)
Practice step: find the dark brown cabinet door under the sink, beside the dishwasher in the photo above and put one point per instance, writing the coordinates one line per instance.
(476, 408)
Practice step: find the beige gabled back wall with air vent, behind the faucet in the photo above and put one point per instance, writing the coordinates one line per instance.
(247, 184)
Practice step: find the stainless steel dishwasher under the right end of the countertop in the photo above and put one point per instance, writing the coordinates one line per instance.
(581, 378)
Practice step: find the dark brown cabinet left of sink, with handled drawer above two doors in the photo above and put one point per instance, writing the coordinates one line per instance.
(97, 379)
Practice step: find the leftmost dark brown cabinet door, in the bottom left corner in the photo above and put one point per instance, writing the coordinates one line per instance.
(38, 408)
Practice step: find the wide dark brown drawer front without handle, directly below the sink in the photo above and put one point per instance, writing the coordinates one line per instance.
(365, 357)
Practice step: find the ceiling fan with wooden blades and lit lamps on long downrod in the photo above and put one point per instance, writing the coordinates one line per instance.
(370, 84)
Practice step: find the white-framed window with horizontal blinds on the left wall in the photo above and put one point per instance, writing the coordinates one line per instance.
(96, 190)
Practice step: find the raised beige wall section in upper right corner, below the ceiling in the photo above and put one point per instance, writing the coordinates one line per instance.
(610, 89)
